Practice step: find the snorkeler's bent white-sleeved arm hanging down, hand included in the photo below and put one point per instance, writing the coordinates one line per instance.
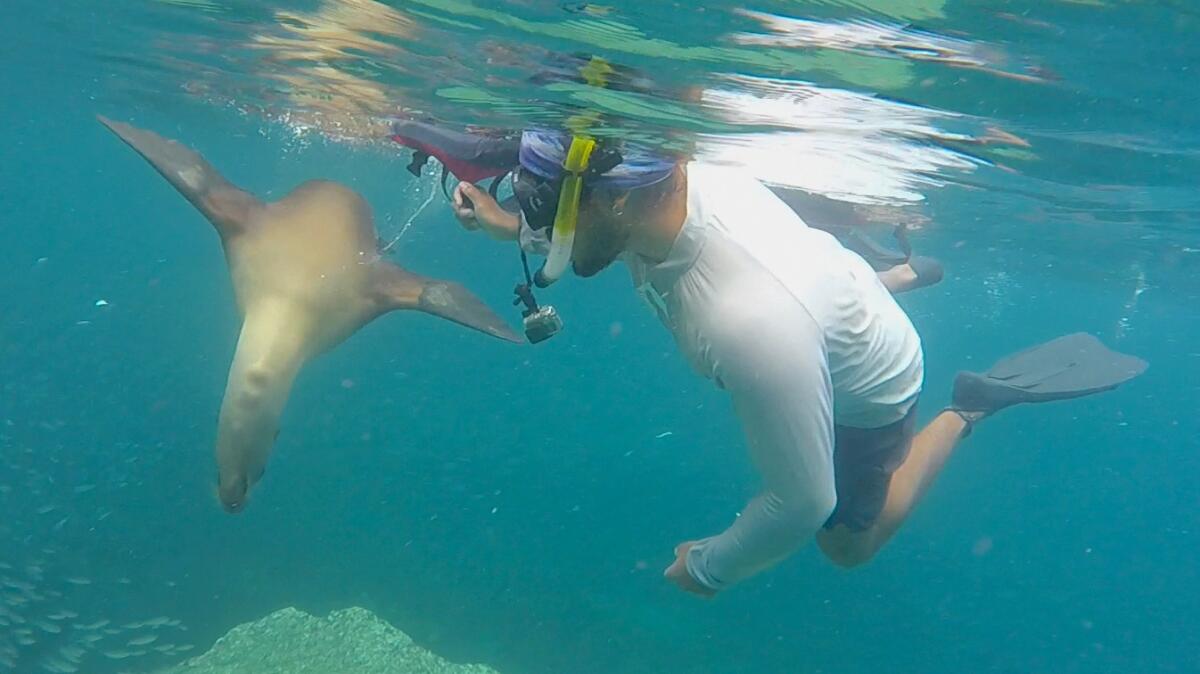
(776, 368)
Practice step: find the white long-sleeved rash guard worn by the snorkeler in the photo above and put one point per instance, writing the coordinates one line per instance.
(802, 335)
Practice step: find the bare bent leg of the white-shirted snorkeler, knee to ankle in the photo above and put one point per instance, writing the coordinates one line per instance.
(928, 454)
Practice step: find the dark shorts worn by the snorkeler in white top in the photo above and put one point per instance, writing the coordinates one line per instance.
(863, 464)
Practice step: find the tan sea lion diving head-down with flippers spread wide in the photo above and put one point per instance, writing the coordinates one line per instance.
(307, 275)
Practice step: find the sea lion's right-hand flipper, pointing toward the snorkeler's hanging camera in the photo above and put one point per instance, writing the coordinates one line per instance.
(399, 290)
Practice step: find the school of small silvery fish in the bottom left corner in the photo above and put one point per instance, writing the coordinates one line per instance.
(45, 627)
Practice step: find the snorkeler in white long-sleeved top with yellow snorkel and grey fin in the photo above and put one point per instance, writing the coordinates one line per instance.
(824, 368)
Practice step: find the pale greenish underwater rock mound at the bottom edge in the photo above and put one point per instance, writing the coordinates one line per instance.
(353, 641)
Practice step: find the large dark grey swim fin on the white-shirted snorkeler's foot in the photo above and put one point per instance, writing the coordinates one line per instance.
(1069, 368)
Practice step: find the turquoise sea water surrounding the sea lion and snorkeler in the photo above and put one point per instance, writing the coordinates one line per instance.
(517, 505)
